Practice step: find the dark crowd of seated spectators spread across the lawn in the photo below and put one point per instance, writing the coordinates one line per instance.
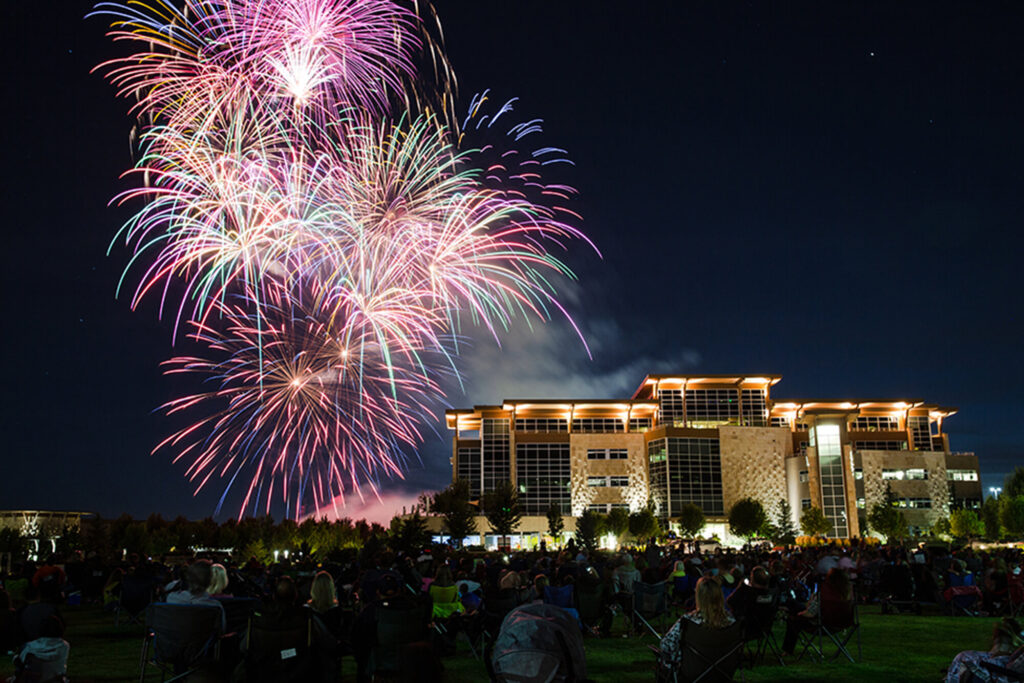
(450, 593)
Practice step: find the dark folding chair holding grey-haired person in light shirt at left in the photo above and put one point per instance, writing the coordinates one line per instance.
(180, 638)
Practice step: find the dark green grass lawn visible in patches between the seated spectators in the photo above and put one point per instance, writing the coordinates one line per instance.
(895, 649)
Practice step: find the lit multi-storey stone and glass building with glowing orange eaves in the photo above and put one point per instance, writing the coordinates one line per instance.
(712, 441)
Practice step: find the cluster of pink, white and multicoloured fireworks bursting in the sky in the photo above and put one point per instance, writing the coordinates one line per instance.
(320, 226)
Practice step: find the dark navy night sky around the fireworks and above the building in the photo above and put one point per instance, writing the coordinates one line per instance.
(832, 192)
